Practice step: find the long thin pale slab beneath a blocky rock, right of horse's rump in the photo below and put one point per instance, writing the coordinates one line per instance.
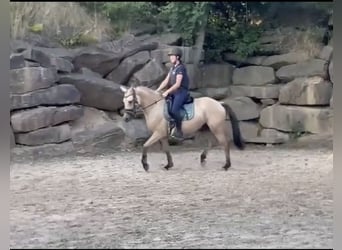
(260, 92)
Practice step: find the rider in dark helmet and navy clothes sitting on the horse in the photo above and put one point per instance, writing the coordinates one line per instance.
(177, 81)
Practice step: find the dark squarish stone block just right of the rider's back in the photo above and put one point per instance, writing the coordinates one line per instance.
(216, 75)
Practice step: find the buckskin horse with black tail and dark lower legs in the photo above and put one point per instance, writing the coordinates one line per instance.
(197, 114)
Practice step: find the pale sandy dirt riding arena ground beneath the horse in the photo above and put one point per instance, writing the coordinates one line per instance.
(271, 197)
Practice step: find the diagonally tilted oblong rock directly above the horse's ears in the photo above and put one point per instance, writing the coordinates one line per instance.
(128, 66)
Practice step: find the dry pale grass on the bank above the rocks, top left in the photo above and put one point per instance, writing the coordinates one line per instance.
(57, 21)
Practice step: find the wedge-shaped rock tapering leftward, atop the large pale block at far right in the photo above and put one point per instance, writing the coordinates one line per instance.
(314, 67)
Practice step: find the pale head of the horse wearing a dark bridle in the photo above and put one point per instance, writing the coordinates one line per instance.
(131, 103)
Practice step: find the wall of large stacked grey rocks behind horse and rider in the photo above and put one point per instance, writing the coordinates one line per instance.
(68, 100)
